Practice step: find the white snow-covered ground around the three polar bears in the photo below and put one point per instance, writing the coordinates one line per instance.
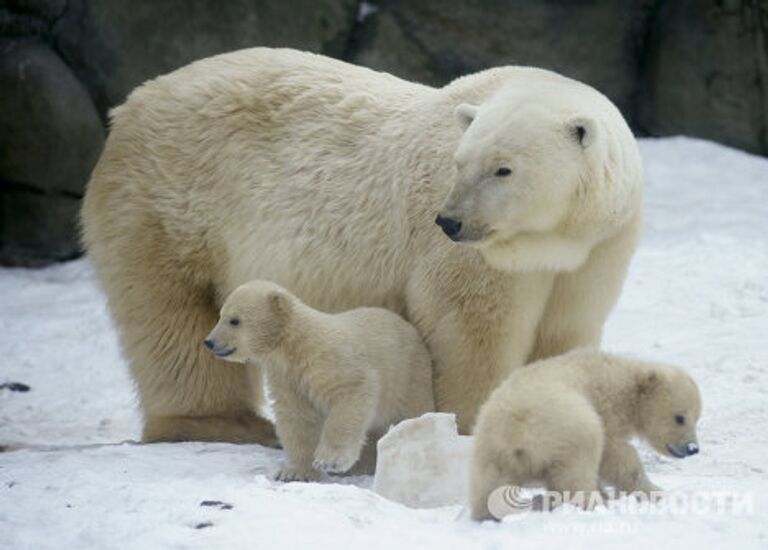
(697, 295)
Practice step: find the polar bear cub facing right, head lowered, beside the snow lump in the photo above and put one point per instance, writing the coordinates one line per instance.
(567, 421)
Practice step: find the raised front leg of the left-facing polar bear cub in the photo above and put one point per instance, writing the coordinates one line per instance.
(344, 431)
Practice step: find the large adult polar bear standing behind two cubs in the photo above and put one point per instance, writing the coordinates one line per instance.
(326, 178)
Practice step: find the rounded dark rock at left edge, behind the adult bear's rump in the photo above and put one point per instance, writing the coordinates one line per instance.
(50, 138)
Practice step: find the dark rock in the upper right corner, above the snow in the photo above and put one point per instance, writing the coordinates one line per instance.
(706, 72)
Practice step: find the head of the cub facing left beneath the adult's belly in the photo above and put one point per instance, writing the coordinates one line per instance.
(252, 321)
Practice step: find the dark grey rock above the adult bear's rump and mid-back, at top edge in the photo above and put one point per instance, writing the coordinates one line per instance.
(115, 45)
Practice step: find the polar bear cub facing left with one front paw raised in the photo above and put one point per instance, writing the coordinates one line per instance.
(334, 378)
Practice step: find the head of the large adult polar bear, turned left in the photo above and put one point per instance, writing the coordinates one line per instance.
(541, 176)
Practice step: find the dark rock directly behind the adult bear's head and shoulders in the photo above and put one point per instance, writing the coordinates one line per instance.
(596, 41)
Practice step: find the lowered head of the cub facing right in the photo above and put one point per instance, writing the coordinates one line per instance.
(669, 407)
